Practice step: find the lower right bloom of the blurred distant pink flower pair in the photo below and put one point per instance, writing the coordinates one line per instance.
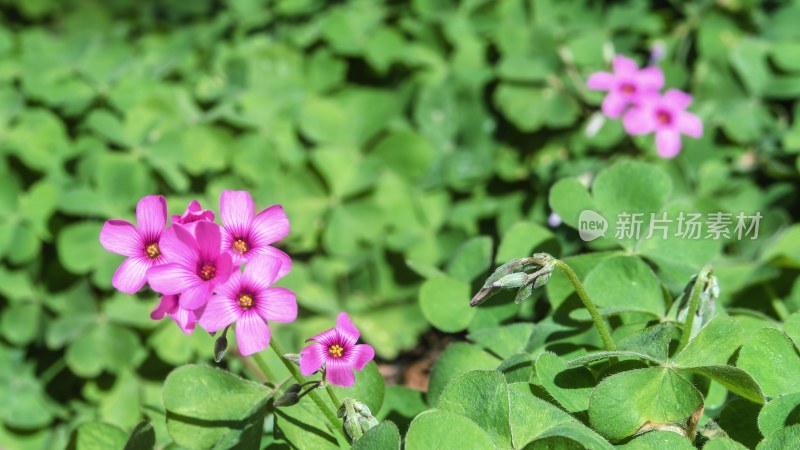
(666, 116)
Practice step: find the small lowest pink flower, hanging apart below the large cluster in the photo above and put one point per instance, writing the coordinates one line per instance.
(337, 350)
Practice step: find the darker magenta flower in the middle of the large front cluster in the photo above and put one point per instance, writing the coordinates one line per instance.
(195, 265)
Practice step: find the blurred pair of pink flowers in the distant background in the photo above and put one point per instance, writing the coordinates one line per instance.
(633, 94)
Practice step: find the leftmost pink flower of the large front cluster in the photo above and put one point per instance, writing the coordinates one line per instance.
(141, 245)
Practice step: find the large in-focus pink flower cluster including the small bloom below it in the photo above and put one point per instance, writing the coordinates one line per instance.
(196, 265)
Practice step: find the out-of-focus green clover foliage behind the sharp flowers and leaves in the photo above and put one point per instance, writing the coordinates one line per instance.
(402, 137)
